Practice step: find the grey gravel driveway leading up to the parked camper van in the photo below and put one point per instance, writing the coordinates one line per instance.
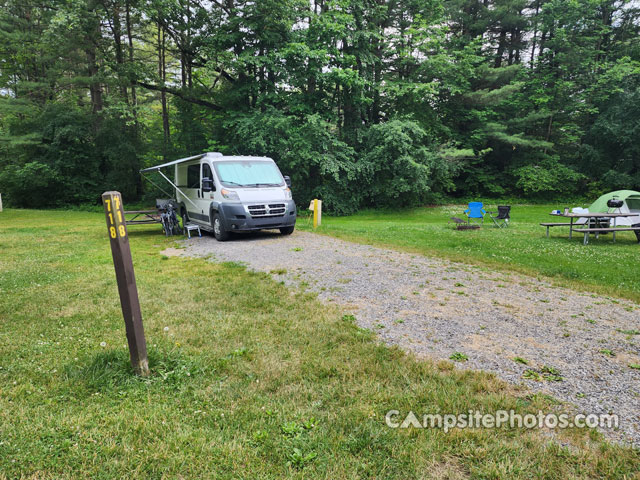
(435, 308)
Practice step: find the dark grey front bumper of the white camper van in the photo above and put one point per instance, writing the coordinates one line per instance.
(236, 218)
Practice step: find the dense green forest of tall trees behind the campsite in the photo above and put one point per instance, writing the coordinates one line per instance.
(363, 102)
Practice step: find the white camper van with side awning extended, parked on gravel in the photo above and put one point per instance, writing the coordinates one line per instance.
(225, 194)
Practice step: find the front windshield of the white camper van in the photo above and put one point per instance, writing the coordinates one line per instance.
(249, 173)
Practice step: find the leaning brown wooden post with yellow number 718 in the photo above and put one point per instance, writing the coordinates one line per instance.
(121, 253)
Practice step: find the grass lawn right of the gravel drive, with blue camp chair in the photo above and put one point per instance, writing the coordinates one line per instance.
(601, 266)
